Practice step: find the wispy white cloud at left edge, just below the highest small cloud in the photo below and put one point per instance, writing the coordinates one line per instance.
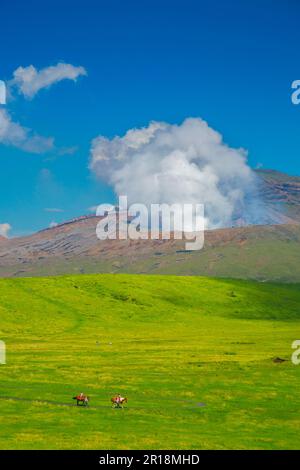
(12, 133)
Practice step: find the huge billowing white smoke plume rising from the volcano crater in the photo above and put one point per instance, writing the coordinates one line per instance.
(187, 163)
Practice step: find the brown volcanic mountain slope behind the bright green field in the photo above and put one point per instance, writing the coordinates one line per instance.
(261, 252)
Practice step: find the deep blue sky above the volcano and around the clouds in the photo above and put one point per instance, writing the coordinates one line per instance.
(229, 62)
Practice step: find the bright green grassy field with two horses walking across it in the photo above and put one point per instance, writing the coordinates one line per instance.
(193, 355)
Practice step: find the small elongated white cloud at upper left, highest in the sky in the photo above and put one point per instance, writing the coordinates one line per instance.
(29, 80)
